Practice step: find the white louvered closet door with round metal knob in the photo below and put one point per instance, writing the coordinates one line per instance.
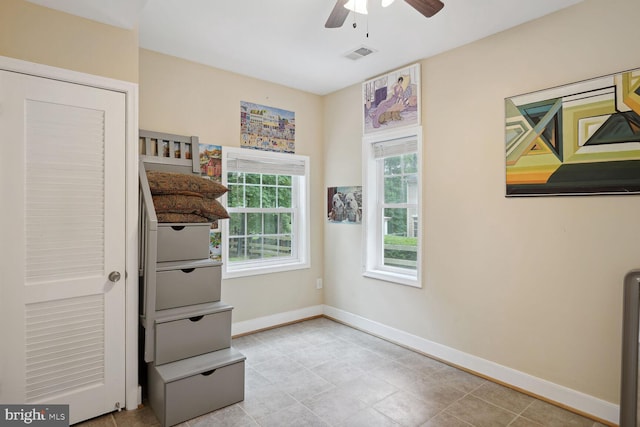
(62, 183)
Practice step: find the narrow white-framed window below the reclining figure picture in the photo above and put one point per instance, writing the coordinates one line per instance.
(392, 206)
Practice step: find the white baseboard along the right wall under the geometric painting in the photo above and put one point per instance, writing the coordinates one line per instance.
(537, 386)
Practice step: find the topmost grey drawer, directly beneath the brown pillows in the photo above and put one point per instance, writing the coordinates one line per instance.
(177, 242)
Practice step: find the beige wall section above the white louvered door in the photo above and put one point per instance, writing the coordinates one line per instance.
(45, 36)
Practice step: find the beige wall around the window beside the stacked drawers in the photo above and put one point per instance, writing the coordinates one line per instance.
(182, 97)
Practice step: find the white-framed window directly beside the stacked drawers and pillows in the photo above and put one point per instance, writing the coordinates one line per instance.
(267, 201)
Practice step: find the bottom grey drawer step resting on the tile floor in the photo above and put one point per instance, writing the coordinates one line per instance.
(189, 388)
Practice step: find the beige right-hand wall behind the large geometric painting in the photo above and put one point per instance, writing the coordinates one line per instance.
(534, 284)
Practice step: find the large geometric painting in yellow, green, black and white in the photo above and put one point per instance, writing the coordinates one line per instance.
(582, 138)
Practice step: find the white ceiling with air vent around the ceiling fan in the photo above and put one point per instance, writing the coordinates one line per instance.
(285, 41)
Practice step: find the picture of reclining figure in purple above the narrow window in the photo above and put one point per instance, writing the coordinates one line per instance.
(392, 100)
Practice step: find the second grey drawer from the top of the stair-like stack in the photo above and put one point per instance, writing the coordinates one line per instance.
(184, 285)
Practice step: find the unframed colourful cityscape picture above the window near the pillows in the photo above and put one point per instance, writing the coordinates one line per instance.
(267, 128)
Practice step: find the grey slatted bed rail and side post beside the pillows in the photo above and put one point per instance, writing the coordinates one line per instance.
(168, 153)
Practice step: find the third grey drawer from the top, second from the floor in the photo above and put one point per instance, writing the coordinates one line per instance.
(190, 336)
